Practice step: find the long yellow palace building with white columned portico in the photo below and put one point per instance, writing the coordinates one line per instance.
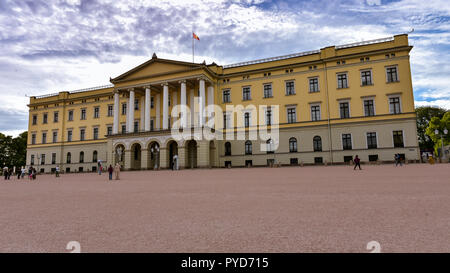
(317, 107)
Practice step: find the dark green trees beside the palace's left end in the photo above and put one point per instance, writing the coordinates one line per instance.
(13, 151)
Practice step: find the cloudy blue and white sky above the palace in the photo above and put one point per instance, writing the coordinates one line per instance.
(47, 46)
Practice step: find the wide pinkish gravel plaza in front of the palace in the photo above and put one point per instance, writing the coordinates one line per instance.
(289, 209)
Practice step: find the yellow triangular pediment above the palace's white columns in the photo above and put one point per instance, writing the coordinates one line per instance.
(155, 67)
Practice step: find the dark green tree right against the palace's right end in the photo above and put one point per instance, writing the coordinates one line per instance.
(424, 116)
